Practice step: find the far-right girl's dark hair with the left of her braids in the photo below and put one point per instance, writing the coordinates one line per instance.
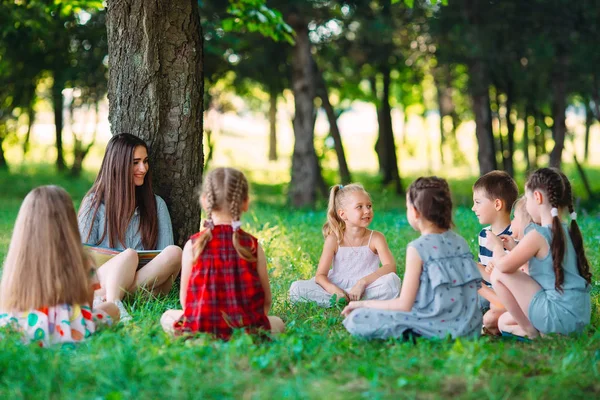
(550, 182)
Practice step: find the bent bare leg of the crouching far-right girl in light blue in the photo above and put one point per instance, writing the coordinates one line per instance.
(516, 291)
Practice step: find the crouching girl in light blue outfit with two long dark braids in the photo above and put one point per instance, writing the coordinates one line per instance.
(554, 297)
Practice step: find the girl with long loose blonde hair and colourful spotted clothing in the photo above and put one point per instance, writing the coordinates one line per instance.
(48, 280)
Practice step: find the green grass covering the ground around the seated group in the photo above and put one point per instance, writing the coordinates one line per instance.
(315, 358)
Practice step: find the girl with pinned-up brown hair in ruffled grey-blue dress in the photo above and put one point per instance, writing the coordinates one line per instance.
(439, 294)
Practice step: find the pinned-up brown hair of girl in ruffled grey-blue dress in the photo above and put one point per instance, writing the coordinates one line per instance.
(431, 197)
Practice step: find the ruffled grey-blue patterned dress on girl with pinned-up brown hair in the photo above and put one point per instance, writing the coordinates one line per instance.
(446, 301)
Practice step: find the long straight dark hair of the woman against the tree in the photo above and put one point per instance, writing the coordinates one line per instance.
(114, 186)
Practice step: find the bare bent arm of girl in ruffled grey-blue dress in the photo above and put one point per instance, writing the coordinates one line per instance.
(408, 294)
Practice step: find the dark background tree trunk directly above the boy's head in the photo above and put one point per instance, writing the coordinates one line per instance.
(486, 154)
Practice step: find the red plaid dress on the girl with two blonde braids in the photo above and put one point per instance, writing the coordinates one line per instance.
(224, 291)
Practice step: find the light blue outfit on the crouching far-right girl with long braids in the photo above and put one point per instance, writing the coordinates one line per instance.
(551, 311)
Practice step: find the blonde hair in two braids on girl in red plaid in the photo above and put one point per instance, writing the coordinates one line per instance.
(224, 189)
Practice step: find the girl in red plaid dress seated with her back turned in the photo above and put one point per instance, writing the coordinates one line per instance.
(224, 280)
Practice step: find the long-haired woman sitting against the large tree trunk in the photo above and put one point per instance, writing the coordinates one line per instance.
(122, 212)
